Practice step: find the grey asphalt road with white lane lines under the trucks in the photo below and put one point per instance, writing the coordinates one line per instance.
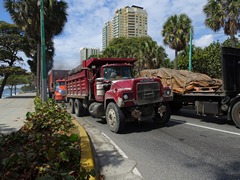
(187, 147)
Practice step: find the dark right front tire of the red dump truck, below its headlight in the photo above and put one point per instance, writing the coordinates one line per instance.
(166, 115)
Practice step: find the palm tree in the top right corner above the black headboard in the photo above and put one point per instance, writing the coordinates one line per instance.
(223, 14)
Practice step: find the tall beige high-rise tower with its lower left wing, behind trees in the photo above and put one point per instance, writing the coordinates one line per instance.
(127, 22)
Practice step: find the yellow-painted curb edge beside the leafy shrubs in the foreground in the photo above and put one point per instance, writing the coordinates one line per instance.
(87, 158)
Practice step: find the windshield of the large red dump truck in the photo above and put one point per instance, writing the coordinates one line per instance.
(122, 72)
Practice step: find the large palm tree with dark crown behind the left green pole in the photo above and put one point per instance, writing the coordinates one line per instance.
(26, 15)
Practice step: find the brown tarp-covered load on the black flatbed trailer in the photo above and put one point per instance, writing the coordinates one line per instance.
(182, 80)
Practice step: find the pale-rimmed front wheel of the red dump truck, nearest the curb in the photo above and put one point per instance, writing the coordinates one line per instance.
(115, 118)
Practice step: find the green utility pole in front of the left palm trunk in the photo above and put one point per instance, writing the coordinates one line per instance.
(44, 74)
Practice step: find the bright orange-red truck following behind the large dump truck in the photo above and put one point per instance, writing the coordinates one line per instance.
(56, 84)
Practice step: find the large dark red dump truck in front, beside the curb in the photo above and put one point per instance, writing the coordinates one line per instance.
(106, 88)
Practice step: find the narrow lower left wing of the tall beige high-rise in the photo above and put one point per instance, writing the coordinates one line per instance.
(107, 34)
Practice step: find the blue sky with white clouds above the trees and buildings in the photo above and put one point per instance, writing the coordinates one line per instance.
(86, 19)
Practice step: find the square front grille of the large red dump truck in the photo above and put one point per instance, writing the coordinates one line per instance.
(148, 93)
